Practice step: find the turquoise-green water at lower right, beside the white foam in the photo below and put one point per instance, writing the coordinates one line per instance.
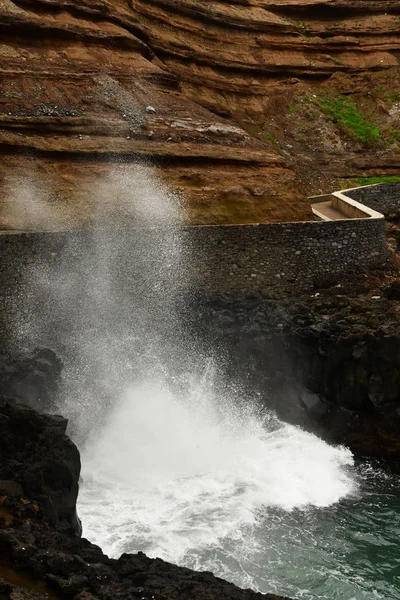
(348, 551)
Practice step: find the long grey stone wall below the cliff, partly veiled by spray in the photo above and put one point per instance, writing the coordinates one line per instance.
(276, 258)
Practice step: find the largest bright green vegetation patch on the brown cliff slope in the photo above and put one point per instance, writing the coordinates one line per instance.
(344, 112)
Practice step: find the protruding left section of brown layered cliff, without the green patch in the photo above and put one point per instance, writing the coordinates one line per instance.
(84, 96)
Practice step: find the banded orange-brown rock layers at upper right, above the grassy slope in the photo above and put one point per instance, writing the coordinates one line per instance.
(230, 55)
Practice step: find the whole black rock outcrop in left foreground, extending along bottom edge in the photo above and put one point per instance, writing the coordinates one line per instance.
(41, 555)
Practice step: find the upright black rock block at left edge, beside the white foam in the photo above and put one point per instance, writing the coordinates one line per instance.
(42, 463)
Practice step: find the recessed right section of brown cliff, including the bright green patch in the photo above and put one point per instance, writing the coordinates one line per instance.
(317, 80)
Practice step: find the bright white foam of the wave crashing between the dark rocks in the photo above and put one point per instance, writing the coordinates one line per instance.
(171, 476)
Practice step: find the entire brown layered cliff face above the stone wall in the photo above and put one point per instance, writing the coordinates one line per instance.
(244, 93)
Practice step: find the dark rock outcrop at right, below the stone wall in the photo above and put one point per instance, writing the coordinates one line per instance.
(329, 361)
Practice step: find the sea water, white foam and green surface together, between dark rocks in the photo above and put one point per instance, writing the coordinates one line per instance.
(212, 485)
